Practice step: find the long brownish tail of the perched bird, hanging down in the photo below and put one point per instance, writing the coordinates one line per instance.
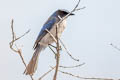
(32, 66)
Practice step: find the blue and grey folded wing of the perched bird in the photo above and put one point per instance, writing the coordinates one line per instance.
(48, 25)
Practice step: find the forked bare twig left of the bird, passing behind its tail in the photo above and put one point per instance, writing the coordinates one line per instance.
(17, 50)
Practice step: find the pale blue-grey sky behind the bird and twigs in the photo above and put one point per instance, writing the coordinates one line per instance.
(87, 36)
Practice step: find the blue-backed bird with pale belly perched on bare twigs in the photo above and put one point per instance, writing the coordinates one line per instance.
(44, 38)
